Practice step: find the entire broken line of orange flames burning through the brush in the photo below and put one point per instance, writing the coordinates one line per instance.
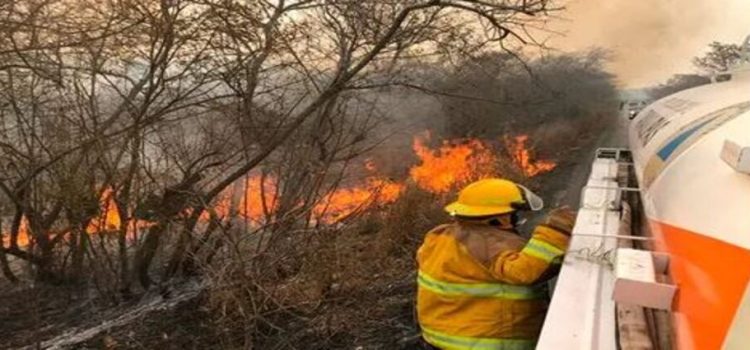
(440, 170)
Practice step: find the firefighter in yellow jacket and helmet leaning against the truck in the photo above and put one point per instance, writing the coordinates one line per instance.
(480, 284)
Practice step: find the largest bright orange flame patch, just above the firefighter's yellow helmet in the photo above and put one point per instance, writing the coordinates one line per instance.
(453, 163)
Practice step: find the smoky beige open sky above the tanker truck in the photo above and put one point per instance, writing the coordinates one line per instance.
(651, 39)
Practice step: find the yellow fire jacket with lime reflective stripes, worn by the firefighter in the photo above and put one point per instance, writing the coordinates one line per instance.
(479, 287)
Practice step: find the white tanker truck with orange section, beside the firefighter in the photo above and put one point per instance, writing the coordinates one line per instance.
(660, 256)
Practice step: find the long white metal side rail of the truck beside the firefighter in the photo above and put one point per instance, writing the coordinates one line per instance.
(581, 315)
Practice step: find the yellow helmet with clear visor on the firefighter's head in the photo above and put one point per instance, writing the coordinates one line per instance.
(493, 197)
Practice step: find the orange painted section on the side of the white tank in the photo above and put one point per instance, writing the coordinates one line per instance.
(712, 276)
